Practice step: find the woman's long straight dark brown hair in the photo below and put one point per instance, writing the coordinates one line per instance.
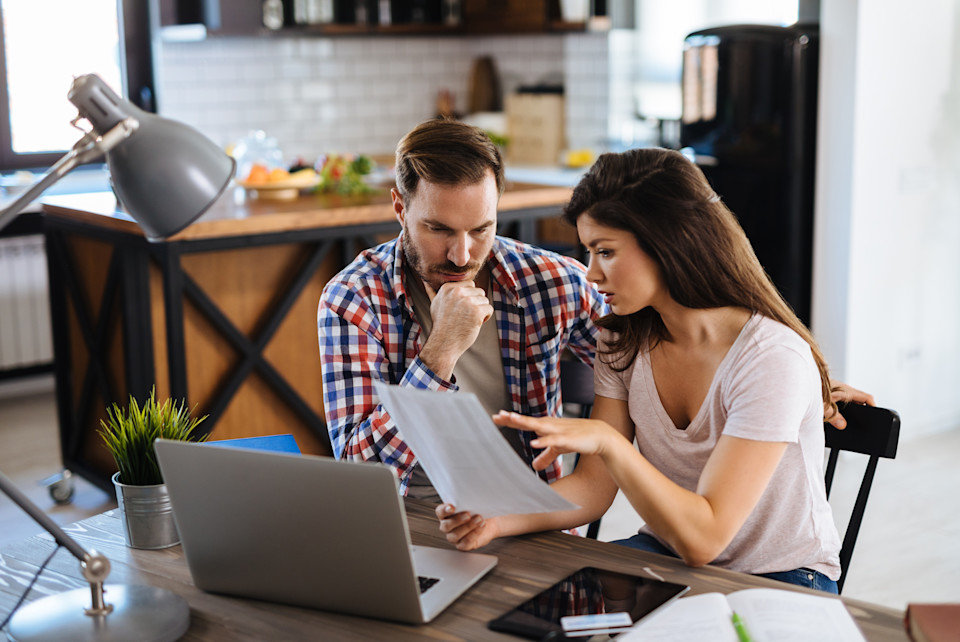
(704, 256)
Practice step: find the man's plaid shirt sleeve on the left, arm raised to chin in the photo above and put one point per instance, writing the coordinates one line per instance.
(359, 342)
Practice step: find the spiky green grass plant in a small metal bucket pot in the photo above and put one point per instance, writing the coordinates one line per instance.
(141, 494)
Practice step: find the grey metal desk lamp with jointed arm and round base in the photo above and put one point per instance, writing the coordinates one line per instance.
(166, 174)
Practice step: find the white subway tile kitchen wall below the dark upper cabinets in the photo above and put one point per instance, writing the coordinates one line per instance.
(326, 95)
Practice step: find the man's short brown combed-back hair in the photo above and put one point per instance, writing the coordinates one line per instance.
(446, 152)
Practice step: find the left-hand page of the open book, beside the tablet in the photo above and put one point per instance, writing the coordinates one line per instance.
(689, 619)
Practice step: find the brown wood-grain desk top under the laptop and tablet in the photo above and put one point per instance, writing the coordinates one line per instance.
(527, 565)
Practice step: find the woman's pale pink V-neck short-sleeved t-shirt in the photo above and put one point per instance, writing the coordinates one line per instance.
(767, 388)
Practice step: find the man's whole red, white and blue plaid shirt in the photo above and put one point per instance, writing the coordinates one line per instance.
(542, 303)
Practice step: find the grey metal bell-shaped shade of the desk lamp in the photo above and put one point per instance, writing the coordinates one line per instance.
(166, 173)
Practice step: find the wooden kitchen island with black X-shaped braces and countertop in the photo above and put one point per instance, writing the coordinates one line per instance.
(222, 314)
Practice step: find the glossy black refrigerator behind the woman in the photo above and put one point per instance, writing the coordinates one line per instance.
(749, 117)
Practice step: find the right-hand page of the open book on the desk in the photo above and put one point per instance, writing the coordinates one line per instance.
(773, 615)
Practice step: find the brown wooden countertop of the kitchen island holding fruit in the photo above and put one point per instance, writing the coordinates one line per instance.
(234, 214)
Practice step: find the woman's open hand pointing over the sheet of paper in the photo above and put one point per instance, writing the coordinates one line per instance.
(559, 436)
